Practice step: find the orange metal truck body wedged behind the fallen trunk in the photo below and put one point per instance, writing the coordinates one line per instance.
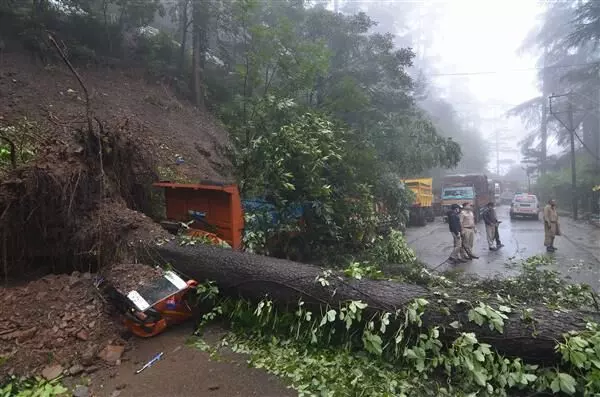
(221, 204)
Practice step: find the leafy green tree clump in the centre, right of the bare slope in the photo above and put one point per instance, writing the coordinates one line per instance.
(297, 60)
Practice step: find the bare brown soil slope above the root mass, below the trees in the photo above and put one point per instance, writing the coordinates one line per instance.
(171, 129)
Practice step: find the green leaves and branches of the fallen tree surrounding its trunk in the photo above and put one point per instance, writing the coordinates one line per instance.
(339, 351)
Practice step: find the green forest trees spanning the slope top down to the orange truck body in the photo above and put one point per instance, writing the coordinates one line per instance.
(288, 80)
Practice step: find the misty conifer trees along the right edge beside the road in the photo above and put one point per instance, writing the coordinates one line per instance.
(565, 43)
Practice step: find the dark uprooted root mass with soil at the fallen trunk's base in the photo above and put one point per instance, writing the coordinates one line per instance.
(74, 207)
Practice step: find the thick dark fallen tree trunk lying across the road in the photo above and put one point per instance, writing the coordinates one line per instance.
(253, 277)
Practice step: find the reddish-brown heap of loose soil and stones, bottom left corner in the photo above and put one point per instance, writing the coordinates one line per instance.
(56, 320)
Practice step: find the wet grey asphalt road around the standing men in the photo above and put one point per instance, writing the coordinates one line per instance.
(577, 256)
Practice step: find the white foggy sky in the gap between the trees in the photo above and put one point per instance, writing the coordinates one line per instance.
(480, 43)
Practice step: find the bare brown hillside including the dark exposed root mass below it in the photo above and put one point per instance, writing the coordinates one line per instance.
(79, 192)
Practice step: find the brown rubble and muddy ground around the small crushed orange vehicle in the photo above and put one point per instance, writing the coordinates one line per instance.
(60, 320)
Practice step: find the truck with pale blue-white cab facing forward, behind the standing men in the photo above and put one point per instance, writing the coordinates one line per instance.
(467, 188)
